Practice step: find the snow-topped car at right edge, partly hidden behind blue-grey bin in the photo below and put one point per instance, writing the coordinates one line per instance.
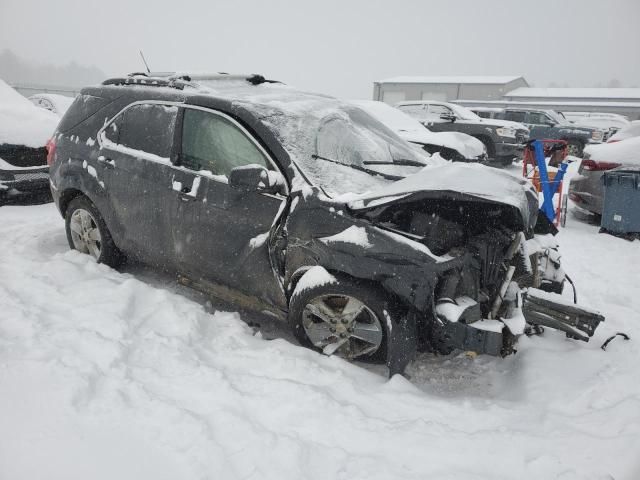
(586, 189)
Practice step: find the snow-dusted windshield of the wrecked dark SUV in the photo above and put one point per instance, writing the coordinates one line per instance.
(338, 146)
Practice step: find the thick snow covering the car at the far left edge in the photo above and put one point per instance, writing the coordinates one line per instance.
(21, 122)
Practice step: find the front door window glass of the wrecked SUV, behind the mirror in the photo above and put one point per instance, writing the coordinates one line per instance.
(211, 142)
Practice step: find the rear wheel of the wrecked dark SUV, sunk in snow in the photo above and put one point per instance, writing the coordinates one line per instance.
(88, 233)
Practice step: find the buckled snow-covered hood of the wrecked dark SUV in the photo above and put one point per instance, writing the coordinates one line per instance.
(465, 181)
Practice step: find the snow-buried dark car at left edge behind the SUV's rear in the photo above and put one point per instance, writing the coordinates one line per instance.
(24, 131)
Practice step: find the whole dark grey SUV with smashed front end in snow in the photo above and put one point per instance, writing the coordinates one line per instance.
(307, 207)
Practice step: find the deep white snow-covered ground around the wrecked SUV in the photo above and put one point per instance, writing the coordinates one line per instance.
(108, 375)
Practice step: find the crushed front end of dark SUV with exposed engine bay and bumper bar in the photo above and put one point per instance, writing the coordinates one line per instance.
(500, 275)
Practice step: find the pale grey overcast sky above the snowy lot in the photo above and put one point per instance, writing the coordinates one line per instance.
(336, 46)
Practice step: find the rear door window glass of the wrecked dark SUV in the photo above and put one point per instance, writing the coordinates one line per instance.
(146, 127)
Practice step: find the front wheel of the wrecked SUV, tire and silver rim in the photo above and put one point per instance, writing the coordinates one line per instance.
(318, 319)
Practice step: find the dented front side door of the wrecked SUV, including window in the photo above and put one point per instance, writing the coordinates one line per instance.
(222, 234)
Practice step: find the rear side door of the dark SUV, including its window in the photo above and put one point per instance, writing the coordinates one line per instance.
(136, 148)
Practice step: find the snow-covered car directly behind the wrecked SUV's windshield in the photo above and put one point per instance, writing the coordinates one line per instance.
(454, 146)
